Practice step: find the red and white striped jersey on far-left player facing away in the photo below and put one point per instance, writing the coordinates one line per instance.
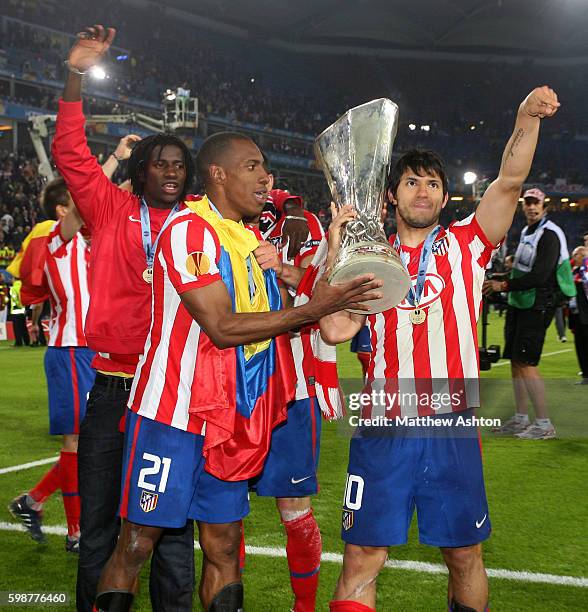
(66, 271)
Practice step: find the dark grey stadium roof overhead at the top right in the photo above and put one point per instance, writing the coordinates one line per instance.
(545, 30)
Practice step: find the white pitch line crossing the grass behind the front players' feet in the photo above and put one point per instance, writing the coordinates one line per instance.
(414, 566)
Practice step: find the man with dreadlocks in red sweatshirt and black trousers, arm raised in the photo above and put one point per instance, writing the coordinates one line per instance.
(124, 228)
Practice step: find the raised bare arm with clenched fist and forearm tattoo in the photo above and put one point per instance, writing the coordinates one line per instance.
(498, 205)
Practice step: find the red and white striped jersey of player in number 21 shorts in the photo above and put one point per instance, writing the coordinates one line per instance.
(176, 347)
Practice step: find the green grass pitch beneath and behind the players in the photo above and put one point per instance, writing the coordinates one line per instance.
(537, 494)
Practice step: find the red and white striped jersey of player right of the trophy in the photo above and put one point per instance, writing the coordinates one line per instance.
(441, 354)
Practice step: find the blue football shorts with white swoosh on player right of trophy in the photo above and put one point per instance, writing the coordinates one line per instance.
(435, 472)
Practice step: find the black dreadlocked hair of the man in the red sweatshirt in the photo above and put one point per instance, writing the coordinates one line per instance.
(141, 156)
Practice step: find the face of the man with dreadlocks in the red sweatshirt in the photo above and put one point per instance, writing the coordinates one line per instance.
(165, 176)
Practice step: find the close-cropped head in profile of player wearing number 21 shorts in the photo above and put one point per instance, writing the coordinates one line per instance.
(241, 180)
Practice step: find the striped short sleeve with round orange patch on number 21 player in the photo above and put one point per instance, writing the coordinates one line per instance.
(189, 250)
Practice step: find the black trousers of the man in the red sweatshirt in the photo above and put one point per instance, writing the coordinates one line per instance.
(100, 456)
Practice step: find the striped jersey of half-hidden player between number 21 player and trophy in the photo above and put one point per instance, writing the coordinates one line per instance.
(301, 341)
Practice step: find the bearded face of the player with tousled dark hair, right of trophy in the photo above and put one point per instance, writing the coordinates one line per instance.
(419, 199)
